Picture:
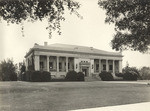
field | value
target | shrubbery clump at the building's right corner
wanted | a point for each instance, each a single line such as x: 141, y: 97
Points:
x: 131, y: 73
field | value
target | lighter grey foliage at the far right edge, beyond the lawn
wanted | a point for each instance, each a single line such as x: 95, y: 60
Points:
x: 145, y: 73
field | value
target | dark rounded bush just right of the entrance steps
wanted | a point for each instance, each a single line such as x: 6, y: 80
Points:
x: 106, y: 76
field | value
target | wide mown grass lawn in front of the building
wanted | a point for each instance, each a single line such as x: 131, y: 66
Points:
x: 62, y: 96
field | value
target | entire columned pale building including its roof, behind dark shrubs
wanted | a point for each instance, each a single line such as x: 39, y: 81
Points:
x: 61, y: 58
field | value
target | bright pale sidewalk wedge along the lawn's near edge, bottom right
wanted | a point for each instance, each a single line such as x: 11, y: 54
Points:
x: 128, y: 107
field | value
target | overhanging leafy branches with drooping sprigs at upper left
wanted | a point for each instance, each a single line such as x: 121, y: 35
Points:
x: 18, y: 11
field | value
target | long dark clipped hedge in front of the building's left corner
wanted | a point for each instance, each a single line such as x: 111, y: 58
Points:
x: 36, y: 76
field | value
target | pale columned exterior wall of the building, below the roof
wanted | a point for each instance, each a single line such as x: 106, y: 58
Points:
x: 60, y: 63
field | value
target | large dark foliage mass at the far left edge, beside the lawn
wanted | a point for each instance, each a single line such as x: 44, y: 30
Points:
x: 8, y: 71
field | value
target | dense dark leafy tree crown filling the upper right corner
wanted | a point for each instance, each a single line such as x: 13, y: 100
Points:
x: 132, y: 23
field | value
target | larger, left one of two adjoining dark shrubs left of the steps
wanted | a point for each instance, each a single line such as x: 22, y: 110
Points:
x: 71, y: 76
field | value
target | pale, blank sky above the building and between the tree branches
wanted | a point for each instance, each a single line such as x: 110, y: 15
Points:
x: 90, y: 31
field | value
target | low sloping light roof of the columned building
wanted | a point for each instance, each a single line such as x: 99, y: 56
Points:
x: 73, y: 48
